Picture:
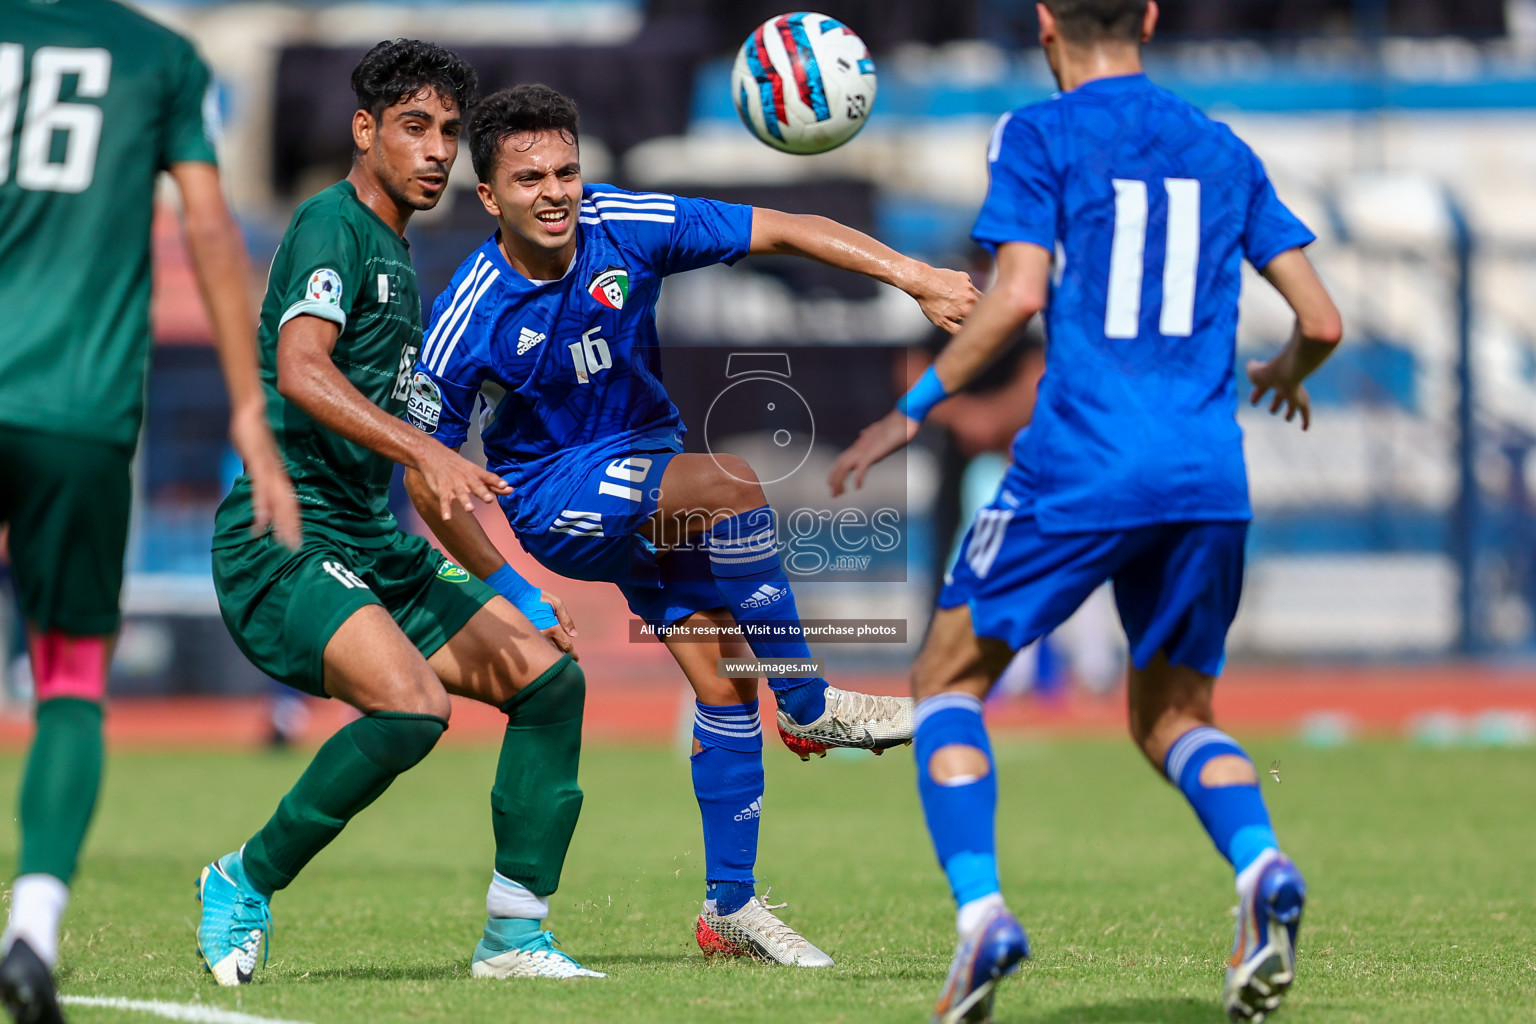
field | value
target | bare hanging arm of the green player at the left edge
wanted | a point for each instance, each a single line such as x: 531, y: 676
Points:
x: 223, y: 276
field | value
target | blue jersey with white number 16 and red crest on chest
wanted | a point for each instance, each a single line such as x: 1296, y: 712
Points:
x: 577, y: 358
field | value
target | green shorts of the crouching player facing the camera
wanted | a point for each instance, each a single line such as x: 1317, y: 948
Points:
x: 283, y: 607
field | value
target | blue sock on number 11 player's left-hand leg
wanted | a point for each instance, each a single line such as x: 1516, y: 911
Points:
x: 961, y: 818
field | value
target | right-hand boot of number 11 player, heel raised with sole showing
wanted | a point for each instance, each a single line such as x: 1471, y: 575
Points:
x: 1273, y: 896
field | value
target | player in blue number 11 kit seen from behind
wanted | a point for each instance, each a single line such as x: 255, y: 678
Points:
x: 1131, y: 472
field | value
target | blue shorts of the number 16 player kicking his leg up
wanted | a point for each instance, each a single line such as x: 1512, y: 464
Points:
x: 598, y: 538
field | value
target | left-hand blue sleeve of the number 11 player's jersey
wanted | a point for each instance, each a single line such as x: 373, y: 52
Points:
x: 1024, y: 200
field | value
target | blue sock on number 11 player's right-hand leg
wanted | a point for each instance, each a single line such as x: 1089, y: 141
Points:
x: 1234, y: 816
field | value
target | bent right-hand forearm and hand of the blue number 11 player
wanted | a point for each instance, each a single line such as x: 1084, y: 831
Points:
x: 1314, y: 340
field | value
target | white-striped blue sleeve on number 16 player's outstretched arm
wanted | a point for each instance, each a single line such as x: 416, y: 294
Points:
x: 681, y: 234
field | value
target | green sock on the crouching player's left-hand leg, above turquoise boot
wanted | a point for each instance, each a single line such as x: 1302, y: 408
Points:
x: 349, y: 773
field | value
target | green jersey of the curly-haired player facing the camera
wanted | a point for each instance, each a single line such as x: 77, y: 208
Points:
x: 339, y: 262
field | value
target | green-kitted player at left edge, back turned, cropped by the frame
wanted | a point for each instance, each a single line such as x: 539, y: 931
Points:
x: 96, y: 102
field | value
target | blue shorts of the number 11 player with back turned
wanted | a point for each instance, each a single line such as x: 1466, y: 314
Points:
x: 1177, y: 584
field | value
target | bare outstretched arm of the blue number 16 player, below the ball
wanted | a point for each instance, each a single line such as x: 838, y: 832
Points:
x: 945, y: 296
